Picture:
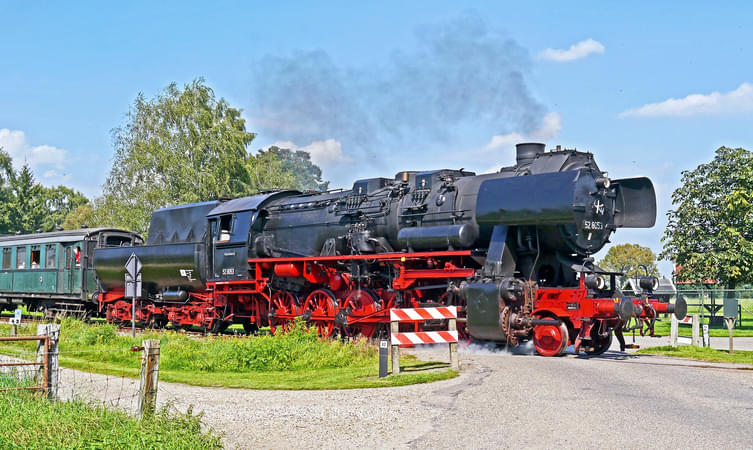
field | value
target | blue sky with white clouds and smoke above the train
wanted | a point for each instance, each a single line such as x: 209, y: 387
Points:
x: 385, y: 80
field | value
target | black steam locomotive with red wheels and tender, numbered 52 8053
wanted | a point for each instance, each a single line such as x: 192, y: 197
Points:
x: 511, y: 249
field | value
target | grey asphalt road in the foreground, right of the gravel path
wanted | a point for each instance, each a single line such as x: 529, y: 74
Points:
x: 612, y: 401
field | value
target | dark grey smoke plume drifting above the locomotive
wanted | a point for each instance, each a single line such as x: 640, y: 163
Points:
x: 459, y: 75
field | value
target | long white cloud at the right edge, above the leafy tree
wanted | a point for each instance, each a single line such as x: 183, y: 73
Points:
x: 733, y: 102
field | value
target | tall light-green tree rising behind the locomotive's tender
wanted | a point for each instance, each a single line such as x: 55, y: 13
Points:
x: 183, y: 146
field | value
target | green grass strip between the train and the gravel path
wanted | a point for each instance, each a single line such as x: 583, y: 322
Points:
x: 294, y: 360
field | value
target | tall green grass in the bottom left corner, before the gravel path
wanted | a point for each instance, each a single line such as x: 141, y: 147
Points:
x: 29, y: 420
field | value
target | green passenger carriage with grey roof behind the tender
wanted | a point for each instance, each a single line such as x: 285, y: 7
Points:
x: 54, y: 272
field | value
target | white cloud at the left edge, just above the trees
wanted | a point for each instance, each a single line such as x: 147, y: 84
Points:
x: 39, y: 157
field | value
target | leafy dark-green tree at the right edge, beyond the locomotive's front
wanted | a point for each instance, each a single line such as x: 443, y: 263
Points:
x: 710, y: 231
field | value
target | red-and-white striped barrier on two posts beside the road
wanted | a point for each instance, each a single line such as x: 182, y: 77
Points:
x: 398, y: 338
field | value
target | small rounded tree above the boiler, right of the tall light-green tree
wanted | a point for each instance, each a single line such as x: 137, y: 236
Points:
x: 282, y: 168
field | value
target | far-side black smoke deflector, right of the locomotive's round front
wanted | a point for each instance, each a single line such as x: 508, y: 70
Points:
x: 636, y: 203
